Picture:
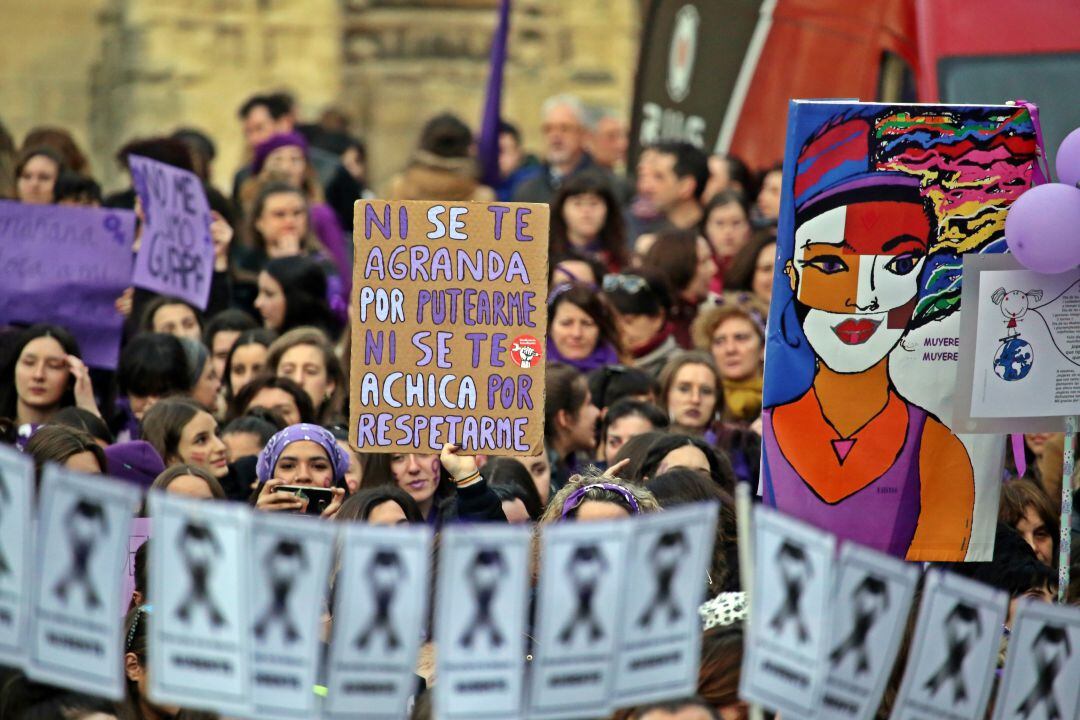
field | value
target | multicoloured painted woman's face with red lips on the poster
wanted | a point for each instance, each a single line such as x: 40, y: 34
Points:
x: 857, y: 271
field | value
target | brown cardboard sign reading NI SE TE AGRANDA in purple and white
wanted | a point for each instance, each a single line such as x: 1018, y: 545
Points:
x: 451, y: 318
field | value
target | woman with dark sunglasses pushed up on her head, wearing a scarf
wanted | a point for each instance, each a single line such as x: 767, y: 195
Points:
x: 643, y: 315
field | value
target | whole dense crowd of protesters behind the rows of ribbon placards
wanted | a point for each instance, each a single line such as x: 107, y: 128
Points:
x: 661, y: 277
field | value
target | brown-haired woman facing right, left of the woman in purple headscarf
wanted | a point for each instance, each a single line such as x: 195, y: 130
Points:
x: 182, y: 431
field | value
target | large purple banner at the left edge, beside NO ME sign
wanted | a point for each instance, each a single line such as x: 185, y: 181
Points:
x: 67, y: 266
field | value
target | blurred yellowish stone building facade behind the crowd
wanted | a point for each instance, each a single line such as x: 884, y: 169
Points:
x: 117, y: 70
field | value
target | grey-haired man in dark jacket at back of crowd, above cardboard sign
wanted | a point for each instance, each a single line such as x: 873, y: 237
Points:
x: 564, y: 134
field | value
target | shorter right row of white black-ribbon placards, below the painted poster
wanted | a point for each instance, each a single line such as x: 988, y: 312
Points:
x: 827, y: 628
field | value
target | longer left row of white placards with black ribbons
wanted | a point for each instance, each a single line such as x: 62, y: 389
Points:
x: 238, y: 599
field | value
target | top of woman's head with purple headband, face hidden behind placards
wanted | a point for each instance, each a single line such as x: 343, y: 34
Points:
x: 599, y: 498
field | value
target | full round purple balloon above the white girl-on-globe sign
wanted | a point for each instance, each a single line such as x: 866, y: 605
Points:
x: 1043, y: 228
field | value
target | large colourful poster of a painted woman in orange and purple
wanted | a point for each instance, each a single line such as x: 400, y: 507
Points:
x: 880, y: 206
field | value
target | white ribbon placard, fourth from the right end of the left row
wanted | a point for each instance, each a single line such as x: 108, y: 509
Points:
x: 381, y: 614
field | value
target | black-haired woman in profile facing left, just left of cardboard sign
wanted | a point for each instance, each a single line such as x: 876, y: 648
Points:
x: 292, y: 294
